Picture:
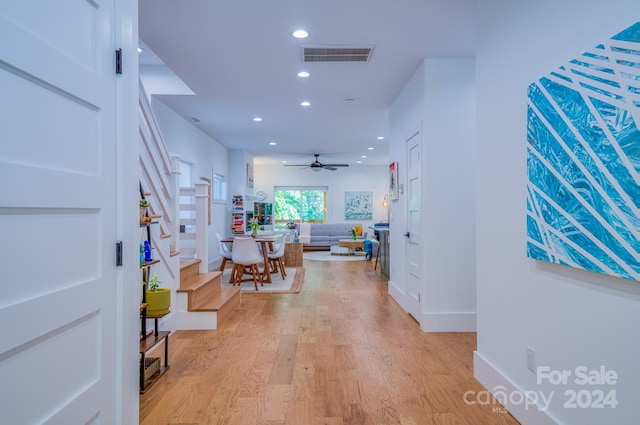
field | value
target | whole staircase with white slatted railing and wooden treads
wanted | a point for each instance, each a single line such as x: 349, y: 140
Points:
x: 199, y: 301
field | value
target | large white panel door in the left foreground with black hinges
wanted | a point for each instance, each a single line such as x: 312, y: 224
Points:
x: 57, y: 212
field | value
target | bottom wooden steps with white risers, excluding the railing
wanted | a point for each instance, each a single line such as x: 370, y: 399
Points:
x: 202, y: 300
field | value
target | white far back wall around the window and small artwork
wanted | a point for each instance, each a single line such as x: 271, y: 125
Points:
x: 352, y: 179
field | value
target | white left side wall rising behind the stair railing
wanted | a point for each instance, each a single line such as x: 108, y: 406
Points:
x: 208, y: 156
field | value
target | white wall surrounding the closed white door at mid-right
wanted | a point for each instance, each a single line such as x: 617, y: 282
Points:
x: 440, y: 99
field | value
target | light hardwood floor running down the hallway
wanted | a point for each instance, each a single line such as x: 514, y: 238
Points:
x: 339, y: 352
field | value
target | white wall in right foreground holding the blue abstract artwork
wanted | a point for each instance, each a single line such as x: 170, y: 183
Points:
x: 570, y: 317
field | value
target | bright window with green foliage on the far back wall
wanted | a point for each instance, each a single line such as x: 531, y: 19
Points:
x: 299, y: 203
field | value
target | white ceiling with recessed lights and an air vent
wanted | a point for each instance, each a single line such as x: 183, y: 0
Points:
x: 239, y: 59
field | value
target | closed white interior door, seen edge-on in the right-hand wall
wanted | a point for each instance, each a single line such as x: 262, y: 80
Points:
x: 413, y: 259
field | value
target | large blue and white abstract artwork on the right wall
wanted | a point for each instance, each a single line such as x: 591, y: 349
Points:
x: 583, y: 160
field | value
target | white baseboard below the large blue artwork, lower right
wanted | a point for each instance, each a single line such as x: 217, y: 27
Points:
x: 495, y: 381
